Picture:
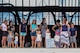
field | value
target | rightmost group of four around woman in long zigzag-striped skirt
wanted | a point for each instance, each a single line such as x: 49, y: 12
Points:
x: 65, y: 34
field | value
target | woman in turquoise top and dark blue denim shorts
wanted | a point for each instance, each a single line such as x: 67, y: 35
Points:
x: 33, y: 28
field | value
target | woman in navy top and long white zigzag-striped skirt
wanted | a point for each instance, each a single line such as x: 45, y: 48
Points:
x: 65, y: 33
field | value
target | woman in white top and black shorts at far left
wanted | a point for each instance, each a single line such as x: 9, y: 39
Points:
x: 4, y: 33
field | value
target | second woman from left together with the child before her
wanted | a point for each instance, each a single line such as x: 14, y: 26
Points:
x: 11, y: 30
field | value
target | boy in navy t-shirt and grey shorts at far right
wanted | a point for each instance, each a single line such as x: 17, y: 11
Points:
x: 73, y: 35
